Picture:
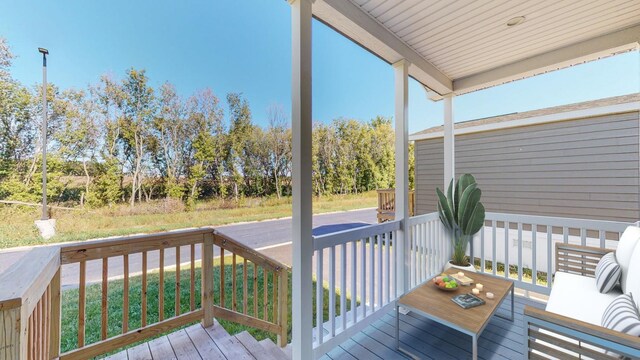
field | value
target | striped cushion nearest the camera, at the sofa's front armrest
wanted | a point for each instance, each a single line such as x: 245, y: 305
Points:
x: 622, y: 315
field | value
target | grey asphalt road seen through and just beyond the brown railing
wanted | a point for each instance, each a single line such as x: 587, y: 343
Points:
x: 257, y: 235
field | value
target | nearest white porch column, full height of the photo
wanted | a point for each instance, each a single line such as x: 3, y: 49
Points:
x: 302, y: 345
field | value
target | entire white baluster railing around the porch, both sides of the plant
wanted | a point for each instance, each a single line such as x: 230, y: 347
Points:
x: 366, y: 268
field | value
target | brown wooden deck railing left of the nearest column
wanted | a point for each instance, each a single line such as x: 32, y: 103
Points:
x: 131, y: 272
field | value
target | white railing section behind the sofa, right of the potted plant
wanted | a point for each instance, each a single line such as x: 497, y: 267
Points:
x: 525, y: 244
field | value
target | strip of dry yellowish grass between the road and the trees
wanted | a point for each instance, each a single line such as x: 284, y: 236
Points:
x: 17, y: 227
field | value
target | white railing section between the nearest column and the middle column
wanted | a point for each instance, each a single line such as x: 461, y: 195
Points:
x: 365, y: 271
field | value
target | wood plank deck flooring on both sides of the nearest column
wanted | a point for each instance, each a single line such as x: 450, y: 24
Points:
x: 502, y: 339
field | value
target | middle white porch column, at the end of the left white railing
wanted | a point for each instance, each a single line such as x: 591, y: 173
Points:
x: 401, y: 70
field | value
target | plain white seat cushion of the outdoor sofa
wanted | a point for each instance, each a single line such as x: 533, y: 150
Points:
x: 577, y: 297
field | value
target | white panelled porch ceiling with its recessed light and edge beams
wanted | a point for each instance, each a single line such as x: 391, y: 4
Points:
x: 464, y: 46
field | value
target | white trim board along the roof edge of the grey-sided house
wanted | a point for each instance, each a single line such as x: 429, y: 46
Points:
x: 535, y: 120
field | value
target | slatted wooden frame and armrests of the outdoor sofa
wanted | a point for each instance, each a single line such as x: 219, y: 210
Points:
x: 572, y: 334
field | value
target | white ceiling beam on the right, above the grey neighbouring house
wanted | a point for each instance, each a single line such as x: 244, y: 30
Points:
x: 588, y: 50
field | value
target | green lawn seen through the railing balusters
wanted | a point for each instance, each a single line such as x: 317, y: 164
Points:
x: 115, y: 296
